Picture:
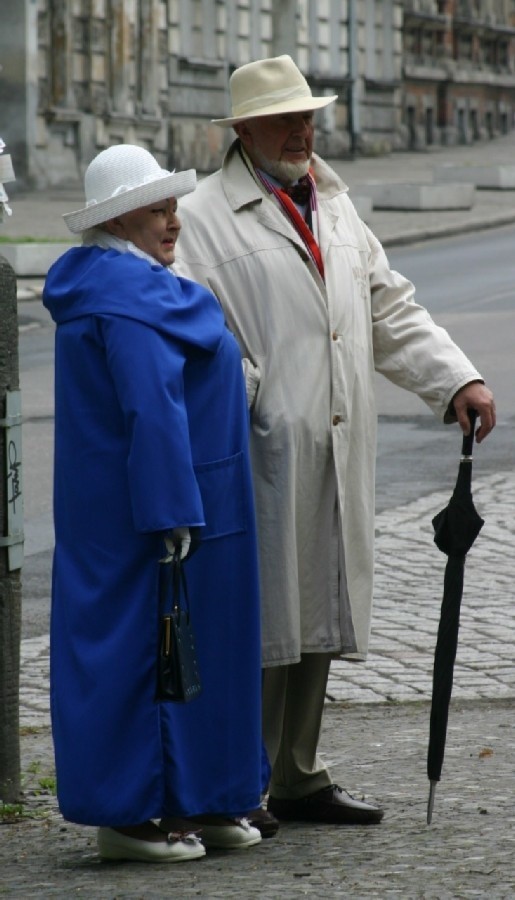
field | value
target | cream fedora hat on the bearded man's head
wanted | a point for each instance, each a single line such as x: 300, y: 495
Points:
x: 270, y: 87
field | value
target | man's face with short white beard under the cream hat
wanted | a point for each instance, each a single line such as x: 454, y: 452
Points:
x: 281, y: 145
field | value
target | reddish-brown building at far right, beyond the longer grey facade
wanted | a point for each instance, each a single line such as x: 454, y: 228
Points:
x: 458, y: 70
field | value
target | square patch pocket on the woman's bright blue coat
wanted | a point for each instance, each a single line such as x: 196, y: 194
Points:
x: 223, y: 490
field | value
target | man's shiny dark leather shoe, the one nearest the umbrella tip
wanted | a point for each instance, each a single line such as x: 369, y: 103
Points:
x: 331, y: 805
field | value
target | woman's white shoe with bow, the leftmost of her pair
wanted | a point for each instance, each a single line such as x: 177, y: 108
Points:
x: 113, y: 844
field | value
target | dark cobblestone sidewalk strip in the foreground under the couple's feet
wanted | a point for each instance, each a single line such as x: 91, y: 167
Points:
x: 468, y: 851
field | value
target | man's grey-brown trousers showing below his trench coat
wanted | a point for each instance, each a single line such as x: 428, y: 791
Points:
x: 293, y: 704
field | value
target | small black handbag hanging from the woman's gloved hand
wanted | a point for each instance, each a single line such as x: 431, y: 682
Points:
x: 178, y: 678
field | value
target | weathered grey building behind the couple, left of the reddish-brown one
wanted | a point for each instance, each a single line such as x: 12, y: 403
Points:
x: 79, y: 75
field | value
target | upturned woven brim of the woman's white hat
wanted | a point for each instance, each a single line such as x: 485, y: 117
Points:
x: 175, y: 184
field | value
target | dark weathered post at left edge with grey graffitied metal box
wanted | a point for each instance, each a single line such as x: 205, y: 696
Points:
x: 11, y: 538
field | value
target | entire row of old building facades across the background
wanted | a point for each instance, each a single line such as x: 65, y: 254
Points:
x: 79, y: 75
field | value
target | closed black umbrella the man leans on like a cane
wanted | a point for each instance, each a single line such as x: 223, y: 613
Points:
x: 456, y: 528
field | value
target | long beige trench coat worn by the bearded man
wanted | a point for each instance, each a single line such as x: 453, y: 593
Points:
x: 310, y: 351
